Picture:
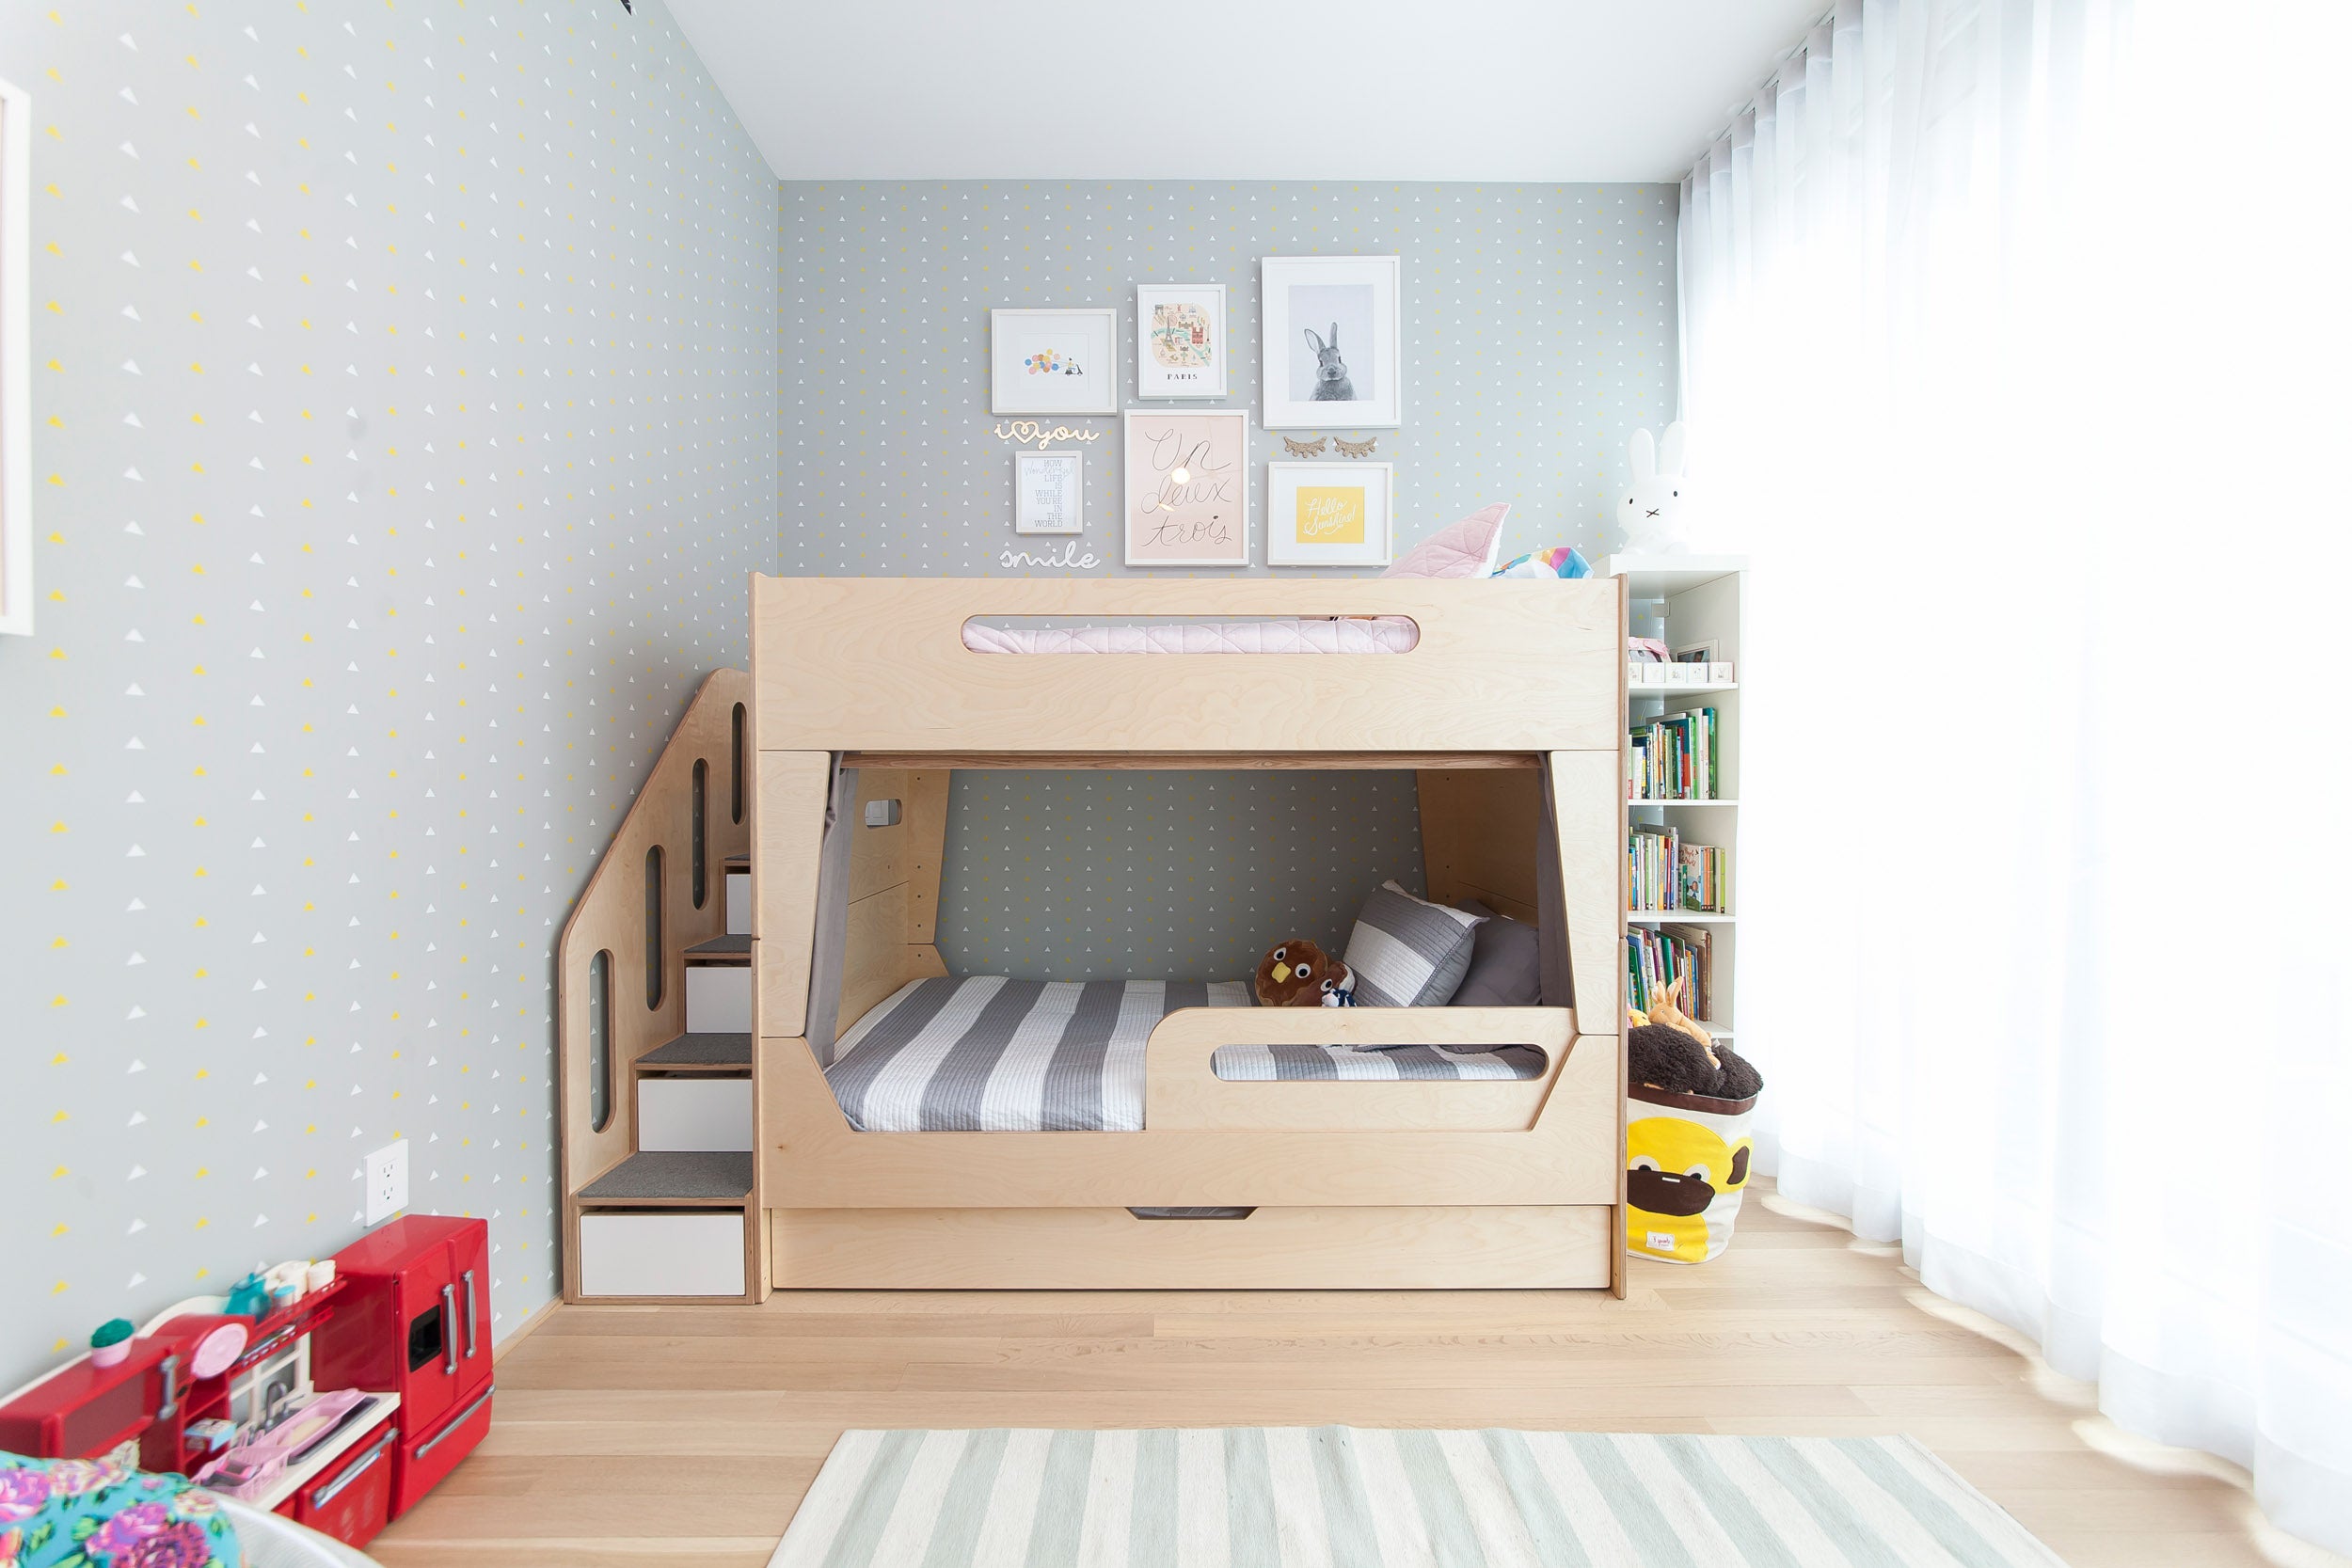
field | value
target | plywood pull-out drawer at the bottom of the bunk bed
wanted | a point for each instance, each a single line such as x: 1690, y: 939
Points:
x: 1509, y: 1247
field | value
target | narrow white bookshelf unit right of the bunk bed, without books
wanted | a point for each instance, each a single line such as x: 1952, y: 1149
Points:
x: 1685, y: 601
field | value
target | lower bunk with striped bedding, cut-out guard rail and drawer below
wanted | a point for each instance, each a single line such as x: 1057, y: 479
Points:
x: 1001, y: 1134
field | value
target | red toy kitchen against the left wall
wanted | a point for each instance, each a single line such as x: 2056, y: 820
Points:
x: 340, y: 1395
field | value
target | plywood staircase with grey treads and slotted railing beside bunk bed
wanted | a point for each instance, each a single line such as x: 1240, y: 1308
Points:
x: 655, y: 1047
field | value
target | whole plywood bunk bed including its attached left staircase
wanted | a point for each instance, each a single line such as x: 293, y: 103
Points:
x: 780, y: 871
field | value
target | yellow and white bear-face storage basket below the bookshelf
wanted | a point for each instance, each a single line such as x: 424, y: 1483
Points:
x: 1685, y: 1172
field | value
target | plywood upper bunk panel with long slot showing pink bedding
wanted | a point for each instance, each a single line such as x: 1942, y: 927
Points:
x: 1499, y: 674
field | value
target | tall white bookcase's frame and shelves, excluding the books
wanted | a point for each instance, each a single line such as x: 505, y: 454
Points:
x: 1692, y: 605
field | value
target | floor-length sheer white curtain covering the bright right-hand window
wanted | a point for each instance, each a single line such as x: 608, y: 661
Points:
x: 2014, y: 351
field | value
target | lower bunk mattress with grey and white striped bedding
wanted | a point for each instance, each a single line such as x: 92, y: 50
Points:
x: 984, y: 1054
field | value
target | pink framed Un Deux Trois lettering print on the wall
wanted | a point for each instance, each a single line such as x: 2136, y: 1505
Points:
x: 1187, y: 488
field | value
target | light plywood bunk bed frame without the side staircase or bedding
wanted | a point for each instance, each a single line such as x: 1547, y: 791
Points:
x: 1509, y: 711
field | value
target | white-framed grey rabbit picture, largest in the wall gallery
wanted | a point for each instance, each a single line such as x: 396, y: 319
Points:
x: 1358, y: 302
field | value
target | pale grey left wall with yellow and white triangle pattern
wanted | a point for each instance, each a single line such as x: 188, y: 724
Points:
x: 406, y: 427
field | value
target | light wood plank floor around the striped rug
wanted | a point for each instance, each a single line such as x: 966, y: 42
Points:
x: 688, y: 1435
